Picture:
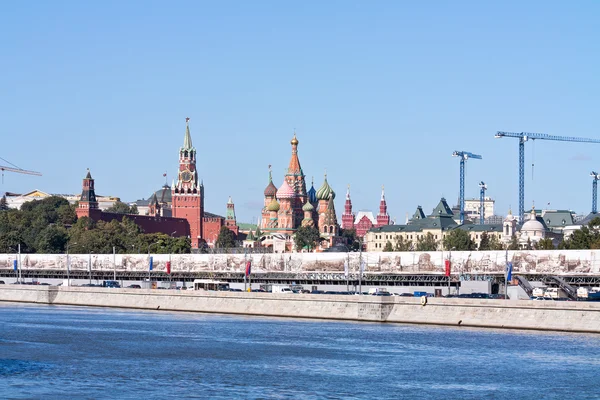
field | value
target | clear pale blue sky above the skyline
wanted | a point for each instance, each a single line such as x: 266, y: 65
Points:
x: 378, y: 92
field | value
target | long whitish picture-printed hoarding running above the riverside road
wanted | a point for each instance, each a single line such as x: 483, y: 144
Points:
x: 557, y: 262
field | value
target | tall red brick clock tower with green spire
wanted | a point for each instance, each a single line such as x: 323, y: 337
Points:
x: 187, y: 192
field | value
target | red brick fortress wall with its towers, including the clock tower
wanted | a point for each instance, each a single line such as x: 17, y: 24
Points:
x: 187, y: 204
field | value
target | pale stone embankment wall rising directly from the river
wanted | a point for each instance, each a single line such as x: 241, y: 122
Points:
x: 526, y: 314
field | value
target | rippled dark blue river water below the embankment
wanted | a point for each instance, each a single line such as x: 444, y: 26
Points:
x: 56, y: 352
